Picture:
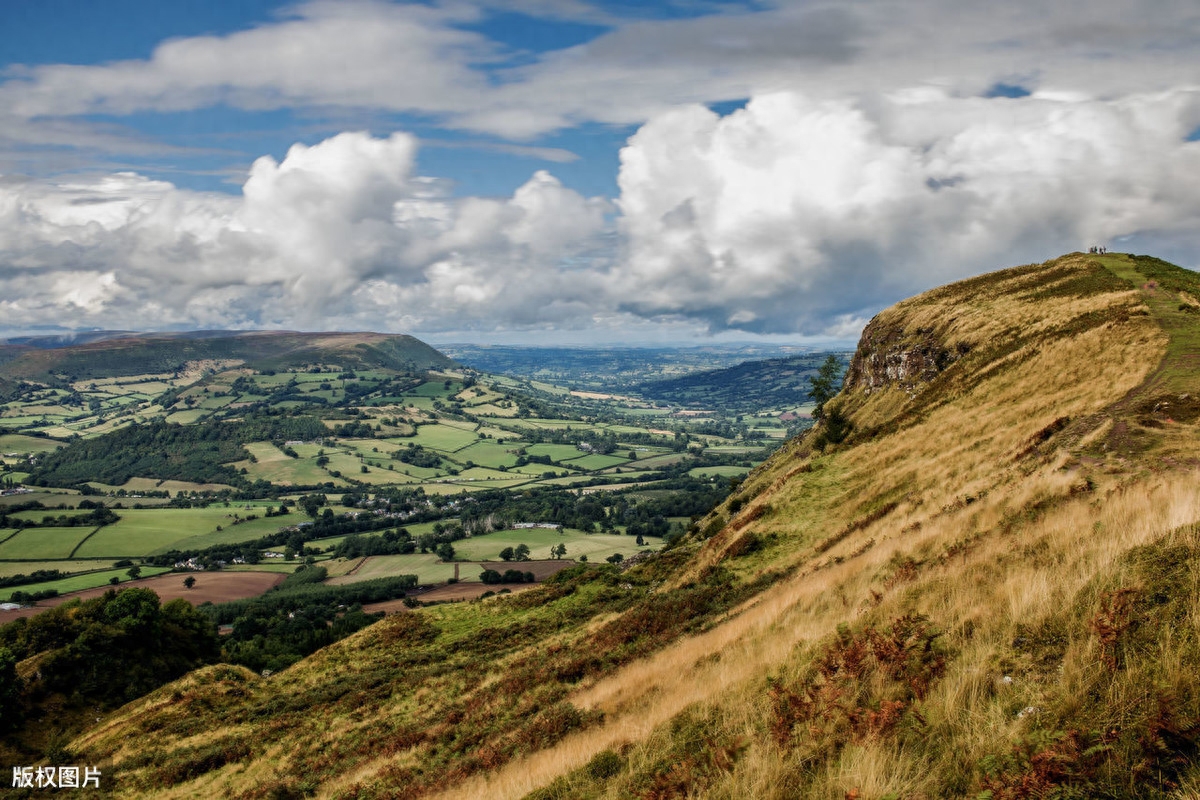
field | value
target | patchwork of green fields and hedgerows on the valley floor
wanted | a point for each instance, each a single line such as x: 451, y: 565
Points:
x: 190, y: 460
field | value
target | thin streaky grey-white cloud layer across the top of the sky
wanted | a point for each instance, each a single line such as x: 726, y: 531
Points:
x: 437, y: 62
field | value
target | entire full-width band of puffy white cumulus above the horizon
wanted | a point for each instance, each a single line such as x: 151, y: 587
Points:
x: 794, y: 215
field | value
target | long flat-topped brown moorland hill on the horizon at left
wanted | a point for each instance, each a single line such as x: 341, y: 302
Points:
x: 41, y: 359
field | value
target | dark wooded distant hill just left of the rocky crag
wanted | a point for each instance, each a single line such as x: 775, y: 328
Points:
x: 775, y: 383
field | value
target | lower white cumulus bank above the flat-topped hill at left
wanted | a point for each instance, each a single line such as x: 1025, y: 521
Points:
x: 340, y: 234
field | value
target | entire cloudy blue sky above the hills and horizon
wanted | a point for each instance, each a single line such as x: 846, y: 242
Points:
x: 563, y: 172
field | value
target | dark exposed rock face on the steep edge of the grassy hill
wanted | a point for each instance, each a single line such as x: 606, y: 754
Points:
x: 889, y: 356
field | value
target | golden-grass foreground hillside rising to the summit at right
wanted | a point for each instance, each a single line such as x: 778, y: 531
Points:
x: 986, y: 579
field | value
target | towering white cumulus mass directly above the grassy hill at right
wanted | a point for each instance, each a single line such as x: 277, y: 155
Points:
x: 802, y: 215
